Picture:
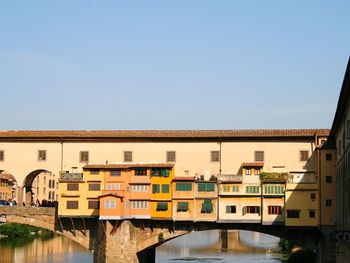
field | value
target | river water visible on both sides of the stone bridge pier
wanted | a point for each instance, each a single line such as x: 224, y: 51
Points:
x: 206, y: 246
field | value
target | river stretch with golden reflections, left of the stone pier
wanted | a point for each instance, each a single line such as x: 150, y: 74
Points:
x: 54, y: 250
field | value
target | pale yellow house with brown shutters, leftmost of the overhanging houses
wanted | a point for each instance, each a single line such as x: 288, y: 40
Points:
x: 78, y: 193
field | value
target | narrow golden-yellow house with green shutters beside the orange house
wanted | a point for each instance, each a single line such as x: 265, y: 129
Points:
x: 161, y: 198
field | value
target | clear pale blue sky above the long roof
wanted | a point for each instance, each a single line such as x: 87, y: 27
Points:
x: 171, y: 64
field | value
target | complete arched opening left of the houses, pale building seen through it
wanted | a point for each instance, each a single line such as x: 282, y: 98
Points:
x: 38, y: 186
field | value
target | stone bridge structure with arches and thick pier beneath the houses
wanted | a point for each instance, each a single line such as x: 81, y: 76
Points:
x: 135, y: 240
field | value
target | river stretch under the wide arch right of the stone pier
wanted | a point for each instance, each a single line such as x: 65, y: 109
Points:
x: 207, y: 246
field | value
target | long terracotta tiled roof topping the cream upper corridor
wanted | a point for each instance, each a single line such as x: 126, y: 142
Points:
x: 133, y: 134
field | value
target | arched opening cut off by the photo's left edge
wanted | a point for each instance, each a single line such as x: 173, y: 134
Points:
x: 8, y: 186
